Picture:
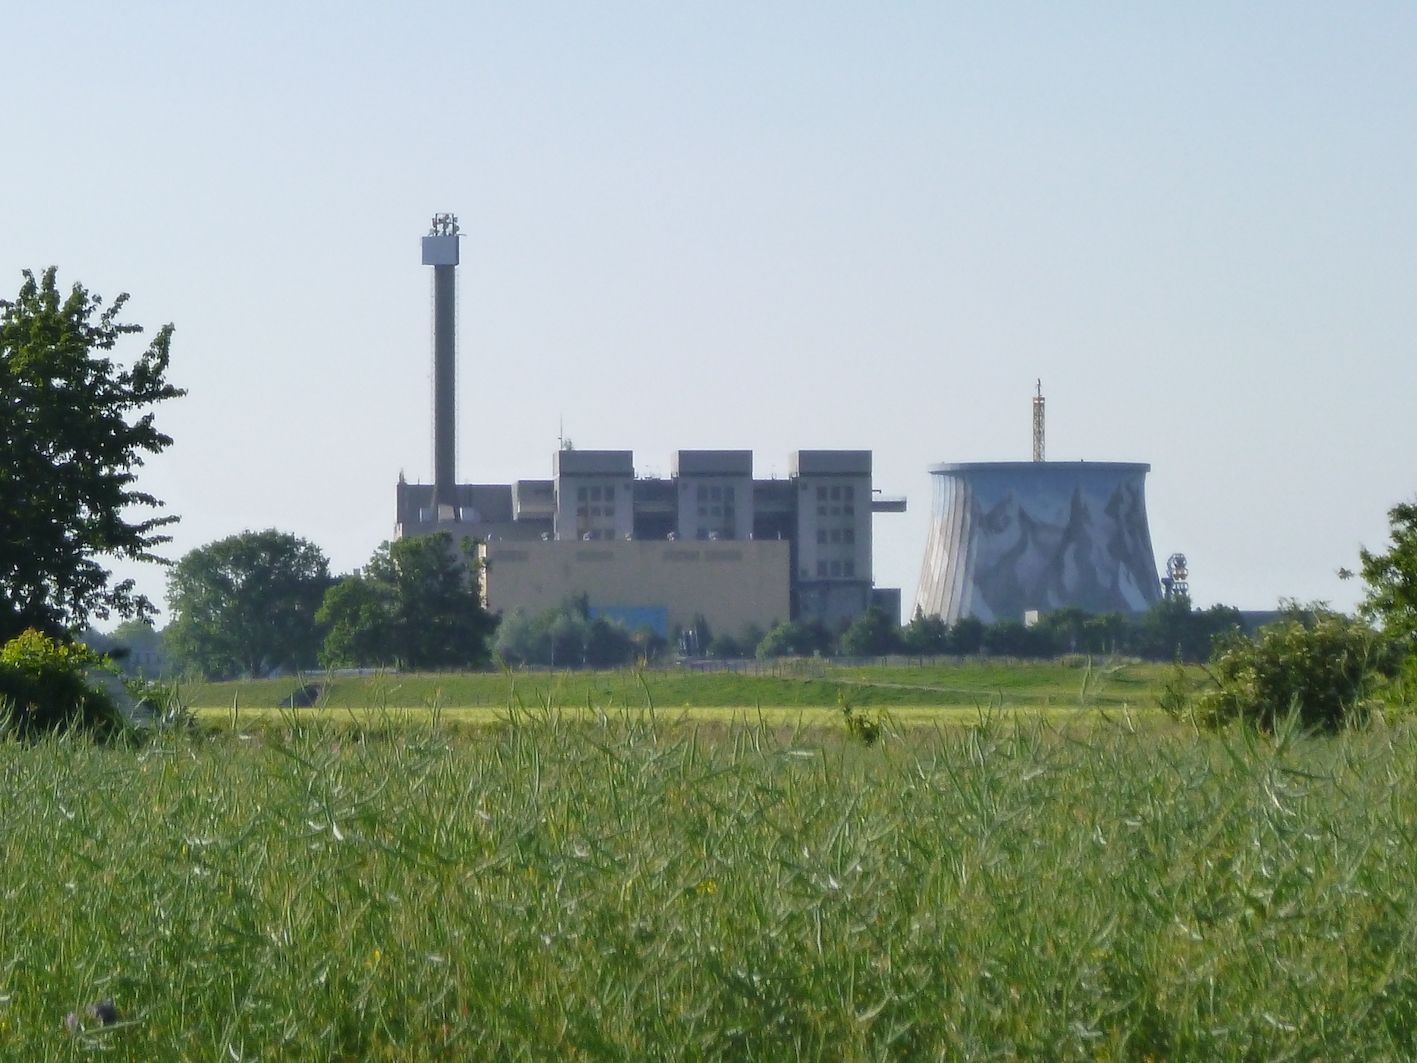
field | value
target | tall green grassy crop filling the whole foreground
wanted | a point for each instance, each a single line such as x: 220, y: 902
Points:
x: 633, y: 888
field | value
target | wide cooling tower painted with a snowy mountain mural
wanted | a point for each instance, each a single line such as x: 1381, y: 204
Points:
x: 1007, y: 538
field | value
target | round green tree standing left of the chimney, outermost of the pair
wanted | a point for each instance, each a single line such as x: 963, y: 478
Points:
x: 247, y: 604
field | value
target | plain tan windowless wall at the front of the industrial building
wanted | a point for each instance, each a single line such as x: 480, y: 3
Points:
x: 730, y: 583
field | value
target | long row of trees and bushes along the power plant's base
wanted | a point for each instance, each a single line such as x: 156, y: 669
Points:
x: 260, y: 603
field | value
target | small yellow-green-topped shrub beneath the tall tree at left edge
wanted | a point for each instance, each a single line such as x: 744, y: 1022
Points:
x: 43, y: 690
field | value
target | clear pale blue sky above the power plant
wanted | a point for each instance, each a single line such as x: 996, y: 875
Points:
x: 772, y: 227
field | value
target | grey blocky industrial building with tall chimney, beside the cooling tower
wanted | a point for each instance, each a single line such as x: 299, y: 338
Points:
x: 708, y: 541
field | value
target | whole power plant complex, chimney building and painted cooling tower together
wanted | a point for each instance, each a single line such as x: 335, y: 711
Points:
x: 1007, y: 539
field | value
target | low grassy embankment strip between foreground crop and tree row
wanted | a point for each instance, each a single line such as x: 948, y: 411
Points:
x: 798, y: 690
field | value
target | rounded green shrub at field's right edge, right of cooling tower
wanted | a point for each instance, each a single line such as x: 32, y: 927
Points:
x: 1327, y: 668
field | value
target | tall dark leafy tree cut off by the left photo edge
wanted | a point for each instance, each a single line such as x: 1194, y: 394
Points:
x: 76, y: 429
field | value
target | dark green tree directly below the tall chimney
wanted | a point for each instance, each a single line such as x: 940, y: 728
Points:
x: 416, y: 604
